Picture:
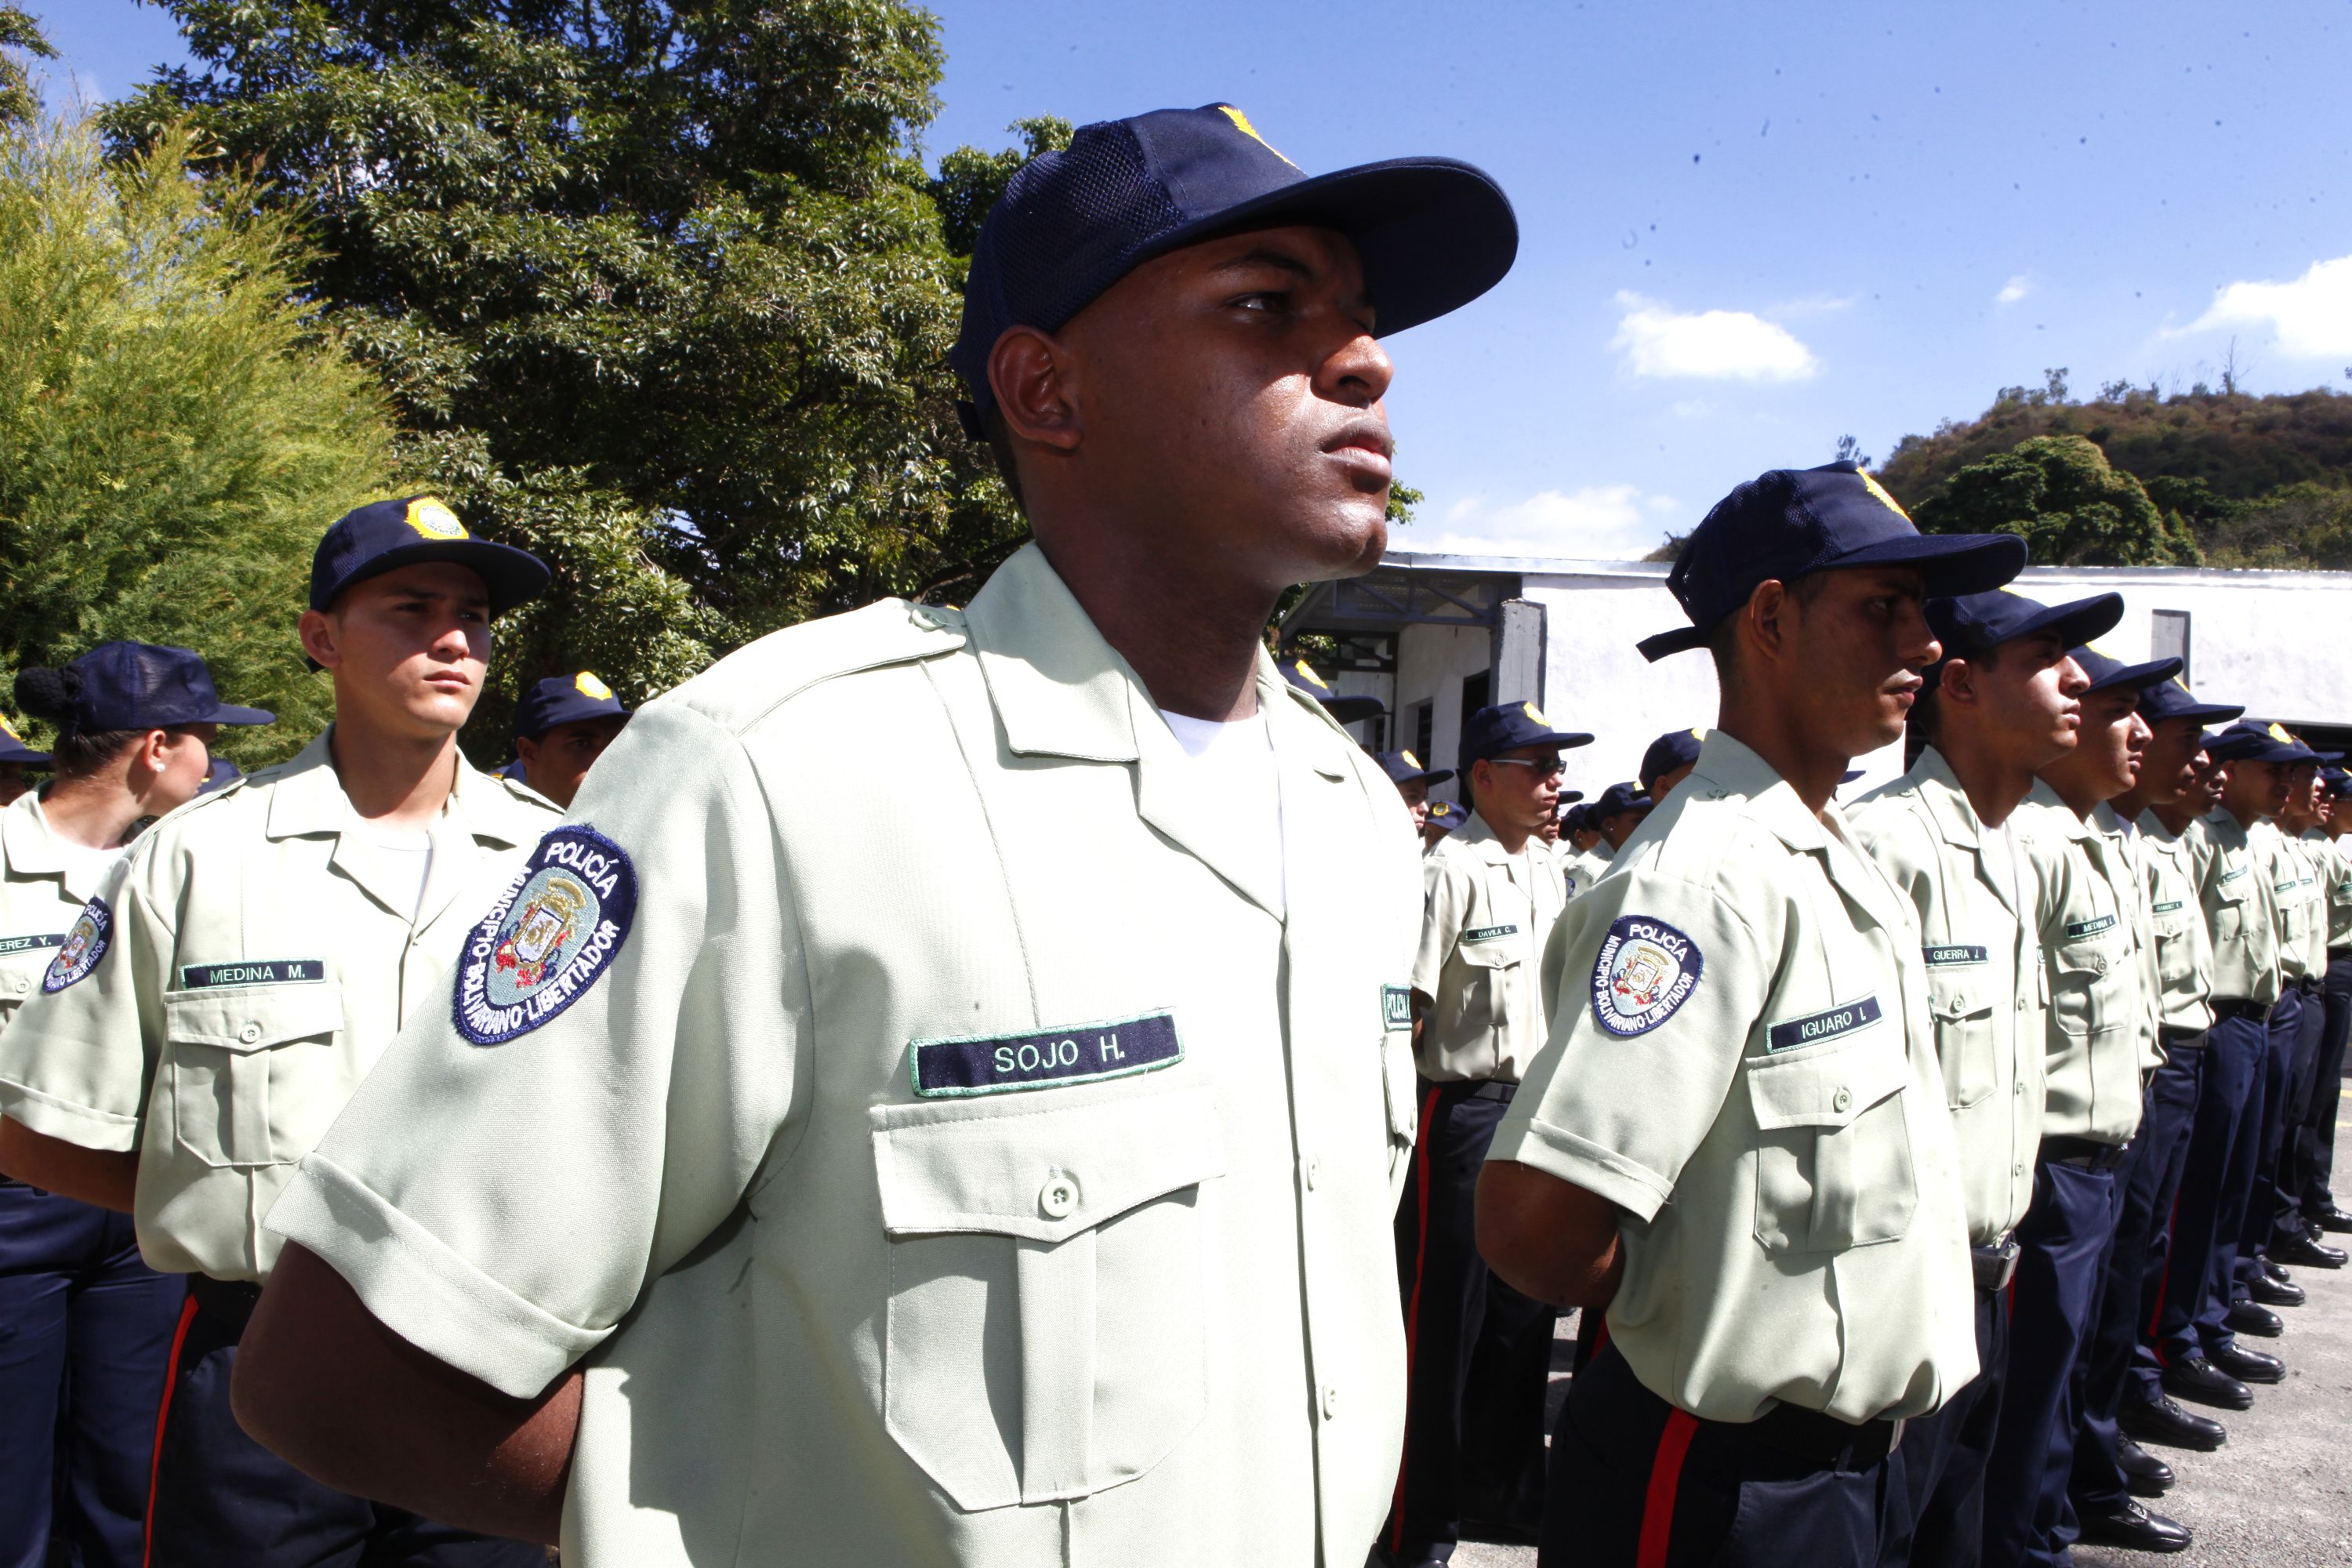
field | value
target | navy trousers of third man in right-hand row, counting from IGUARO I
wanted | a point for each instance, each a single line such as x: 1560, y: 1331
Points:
x: 2062, y: 1261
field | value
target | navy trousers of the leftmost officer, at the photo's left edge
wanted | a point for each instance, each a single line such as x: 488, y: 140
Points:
x: 86, y: 1341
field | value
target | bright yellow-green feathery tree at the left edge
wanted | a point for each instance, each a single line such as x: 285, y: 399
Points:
x: 175, y: 422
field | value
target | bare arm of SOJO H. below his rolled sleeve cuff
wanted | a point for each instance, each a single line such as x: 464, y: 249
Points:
x: 335, y: 1393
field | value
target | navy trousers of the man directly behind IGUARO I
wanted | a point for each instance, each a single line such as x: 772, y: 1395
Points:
x: 1937, y: 1506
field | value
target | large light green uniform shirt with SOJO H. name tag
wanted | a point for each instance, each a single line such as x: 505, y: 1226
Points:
x: 1125, y: 1296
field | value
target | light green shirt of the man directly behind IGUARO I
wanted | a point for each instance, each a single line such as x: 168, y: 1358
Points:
x: 1979, y: 937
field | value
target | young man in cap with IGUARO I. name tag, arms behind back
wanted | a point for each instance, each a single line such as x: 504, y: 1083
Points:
x: 1737, y: 1137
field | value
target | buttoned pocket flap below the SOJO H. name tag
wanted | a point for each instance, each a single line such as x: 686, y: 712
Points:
x: 1041, y: 1172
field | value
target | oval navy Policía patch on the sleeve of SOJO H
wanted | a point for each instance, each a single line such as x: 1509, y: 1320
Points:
x: 549, y: 937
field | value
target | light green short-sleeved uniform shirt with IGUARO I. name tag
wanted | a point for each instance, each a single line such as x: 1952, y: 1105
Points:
x: 1742, y: 1061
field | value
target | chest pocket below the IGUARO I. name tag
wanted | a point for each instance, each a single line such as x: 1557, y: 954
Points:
x: 1833, y: 1146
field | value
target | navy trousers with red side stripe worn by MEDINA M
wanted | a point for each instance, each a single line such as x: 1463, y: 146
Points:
x: 225, y: 1499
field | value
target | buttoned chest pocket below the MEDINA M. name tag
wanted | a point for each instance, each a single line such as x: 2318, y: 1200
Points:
x: 253, y: 1073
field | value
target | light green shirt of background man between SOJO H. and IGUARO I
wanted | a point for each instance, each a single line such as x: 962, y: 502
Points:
x: 1485, y: 918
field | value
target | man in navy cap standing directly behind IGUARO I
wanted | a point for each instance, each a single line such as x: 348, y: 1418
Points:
x: 2003, y: 704
